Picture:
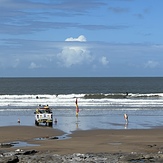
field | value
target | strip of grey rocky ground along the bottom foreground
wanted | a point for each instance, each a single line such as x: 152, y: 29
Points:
x: 33, y: 156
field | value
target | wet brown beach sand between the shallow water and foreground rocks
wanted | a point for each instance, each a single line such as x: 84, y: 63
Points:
x: 91, y: 141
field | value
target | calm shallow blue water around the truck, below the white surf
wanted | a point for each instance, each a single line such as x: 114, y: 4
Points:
x: 89, y: 119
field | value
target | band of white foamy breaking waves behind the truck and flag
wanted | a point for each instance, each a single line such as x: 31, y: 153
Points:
x: 86, y: 101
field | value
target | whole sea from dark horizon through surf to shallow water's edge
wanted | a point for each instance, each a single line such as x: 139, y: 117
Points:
x: 102, y: 102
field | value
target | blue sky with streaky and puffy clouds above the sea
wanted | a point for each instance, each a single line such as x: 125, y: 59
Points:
x: 81, y: 38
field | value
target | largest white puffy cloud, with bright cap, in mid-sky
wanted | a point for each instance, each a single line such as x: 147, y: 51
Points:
x: 74, y: 54
